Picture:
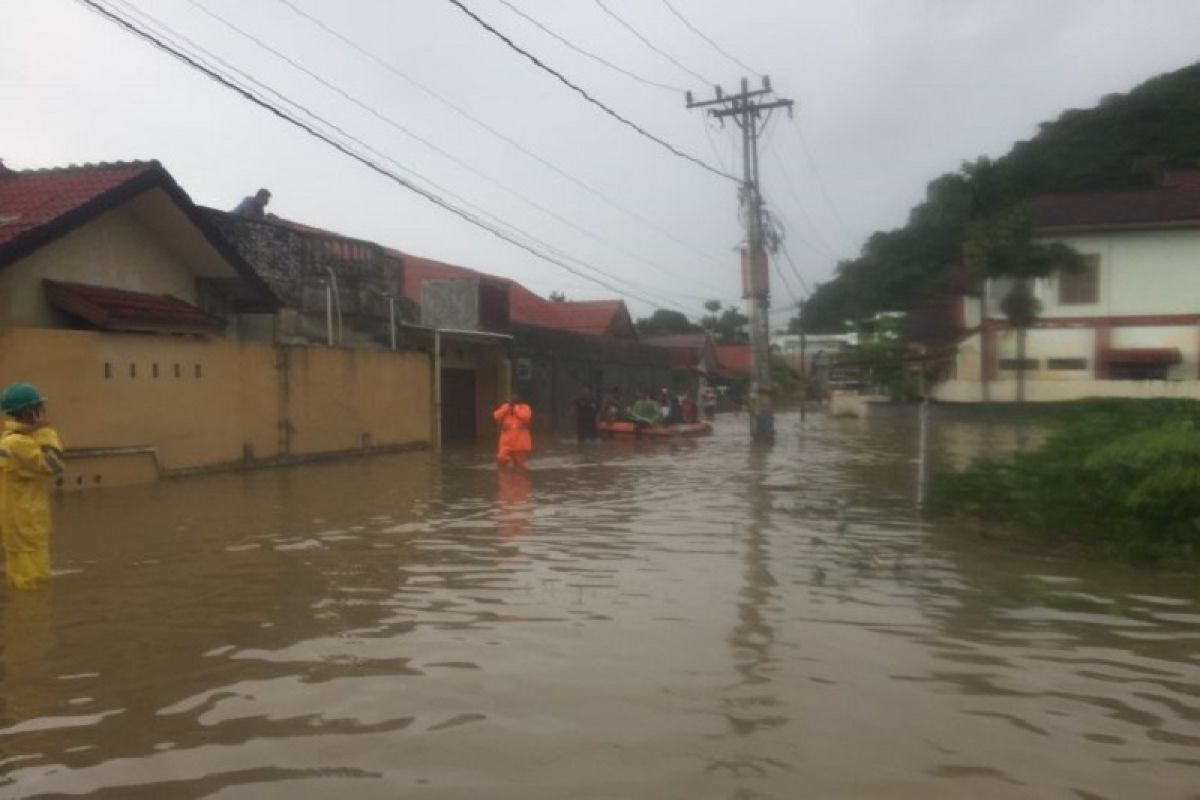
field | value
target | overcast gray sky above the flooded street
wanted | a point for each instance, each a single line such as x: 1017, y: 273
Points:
x: 890, y: 94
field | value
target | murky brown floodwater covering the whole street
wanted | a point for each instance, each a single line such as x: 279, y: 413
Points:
x: 704, y: 619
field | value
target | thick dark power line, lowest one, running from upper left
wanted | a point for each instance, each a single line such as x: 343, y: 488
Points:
x: 346, y: 151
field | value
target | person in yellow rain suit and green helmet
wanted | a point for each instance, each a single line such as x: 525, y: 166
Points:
x: 31, y: 454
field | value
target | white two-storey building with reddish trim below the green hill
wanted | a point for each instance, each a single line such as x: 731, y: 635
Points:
x: 1129, y: 326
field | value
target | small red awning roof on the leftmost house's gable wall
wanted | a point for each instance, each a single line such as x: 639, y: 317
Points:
x: 117, y: 310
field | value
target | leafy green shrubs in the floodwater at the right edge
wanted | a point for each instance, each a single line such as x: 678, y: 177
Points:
x: 1124, y: 476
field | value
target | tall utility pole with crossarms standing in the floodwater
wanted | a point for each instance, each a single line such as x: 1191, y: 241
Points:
x: 751, y: 111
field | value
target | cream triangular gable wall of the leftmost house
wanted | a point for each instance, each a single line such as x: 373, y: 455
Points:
x: 116, y: 250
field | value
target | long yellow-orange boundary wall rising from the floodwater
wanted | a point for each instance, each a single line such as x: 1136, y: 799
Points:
x: 194, y: 404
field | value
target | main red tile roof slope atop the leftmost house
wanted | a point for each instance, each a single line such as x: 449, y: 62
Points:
x: 31, y: 200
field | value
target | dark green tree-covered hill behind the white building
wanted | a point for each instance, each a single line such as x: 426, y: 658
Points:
x: 1124, y: 143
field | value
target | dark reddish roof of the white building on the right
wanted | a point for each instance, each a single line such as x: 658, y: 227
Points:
x: 1175, y: 203
